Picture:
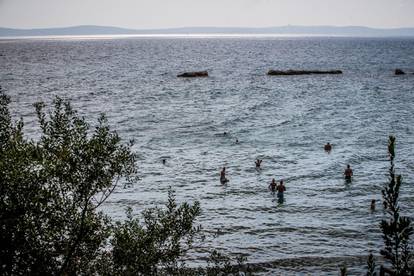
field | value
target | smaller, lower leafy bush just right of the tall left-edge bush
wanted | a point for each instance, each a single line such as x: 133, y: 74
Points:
x: 158, y: 242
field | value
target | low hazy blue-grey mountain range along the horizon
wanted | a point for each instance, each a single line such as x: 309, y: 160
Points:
x: 283, y: 30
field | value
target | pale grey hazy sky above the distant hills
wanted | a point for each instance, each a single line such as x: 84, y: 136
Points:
x: 140, y: 14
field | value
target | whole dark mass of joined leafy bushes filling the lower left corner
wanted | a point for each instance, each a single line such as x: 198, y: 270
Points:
x: 50, y: 191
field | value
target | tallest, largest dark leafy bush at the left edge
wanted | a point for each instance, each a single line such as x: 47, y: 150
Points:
x: 50, y: 189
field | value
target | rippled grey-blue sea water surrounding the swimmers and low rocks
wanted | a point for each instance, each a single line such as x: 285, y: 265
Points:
x: 283, y: 120
